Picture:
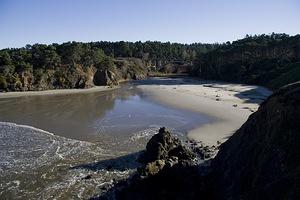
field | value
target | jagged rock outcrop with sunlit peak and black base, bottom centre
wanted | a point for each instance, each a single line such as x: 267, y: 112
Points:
x: 168, y: 172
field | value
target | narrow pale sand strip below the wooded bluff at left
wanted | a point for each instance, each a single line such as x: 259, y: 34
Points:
x: 56, y: 92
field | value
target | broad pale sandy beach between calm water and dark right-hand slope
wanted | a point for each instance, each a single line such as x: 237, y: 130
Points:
x: 228, y: 105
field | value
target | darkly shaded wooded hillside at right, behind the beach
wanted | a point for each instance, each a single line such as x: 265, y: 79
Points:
x: 270, y: 60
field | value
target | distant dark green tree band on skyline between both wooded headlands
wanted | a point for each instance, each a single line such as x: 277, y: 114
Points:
x: 152, y: 51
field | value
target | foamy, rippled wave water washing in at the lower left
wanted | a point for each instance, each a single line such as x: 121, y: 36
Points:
x: 30, y: 155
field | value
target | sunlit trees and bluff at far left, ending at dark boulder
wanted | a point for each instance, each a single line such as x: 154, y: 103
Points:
x: 40, y: 67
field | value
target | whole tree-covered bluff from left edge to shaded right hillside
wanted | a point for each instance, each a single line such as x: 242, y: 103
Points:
x: 73, y: 64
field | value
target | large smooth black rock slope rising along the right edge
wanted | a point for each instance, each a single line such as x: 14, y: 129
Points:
x: 262, y: 159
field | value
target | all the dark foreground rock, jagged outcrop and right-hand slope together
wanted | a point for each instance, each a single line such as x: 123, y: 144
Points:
x: 260, y: 161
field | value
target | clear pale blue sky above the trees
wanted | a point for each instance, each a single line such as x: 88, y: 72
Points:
x: 186, y: 21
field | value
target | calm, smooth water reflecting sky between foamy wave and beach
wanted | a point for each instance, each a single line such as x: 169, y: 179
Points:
x: 113, y: 115
